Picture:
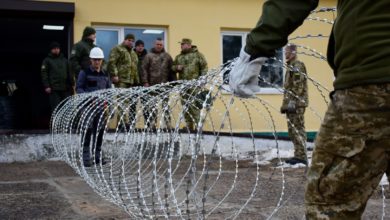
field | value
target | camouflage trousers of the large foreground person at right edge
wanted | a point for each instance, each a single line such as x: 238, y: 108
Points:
x: 351, y: 154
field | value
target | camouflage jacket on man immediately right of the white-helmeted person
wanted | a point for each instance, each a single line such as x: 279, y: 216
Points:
x: 123, y: 63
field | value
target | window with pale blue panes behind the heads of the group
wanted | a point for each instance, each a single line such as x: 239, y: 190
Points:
x: 109, y: 37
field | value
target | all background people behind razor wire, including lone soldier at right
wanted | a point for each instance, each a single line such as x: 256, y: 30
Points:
x: 131, y: 65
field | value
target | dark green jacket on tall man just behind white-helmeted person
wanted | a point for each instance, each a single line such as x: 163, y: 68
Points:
x: 79, y: 56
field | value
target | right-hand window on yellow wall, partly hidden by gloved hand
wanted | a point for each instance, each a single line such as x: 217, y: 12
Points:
x: 271, y: 74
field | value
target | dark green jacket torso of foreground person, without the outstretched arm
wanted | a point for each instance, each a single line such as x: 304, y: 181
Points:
x: 361, y: 46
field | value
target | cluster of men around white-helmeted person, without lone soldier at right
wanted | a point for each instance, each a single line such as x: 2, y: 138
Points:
x: 127, y: 67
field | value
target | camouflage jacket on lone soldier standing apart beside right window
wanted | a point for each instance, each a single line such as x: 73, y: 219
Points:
x: 295, y: 84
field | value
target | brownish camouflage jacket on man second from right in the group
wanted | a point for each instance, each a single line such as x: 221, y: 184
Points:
x: 157, y: 68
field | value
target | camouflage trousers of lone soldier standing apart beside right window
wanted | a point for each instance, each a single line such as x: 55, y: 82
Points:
x: 297, y: 133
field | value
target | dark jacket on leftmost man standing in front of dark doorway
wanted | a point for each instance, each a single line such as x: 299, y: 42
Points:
x: 55, y: 73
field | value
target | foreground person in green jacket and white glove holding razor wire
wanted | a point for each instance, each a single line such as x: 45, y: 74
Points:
x: 352, y: 148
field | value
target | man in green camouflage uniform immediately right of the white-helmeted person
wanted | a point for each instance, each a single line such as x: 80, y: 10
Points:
x: 122, y: 67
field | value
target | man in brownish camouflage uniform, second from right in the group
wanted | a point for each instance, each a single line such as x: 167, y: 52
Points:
x: 157, y: 68
